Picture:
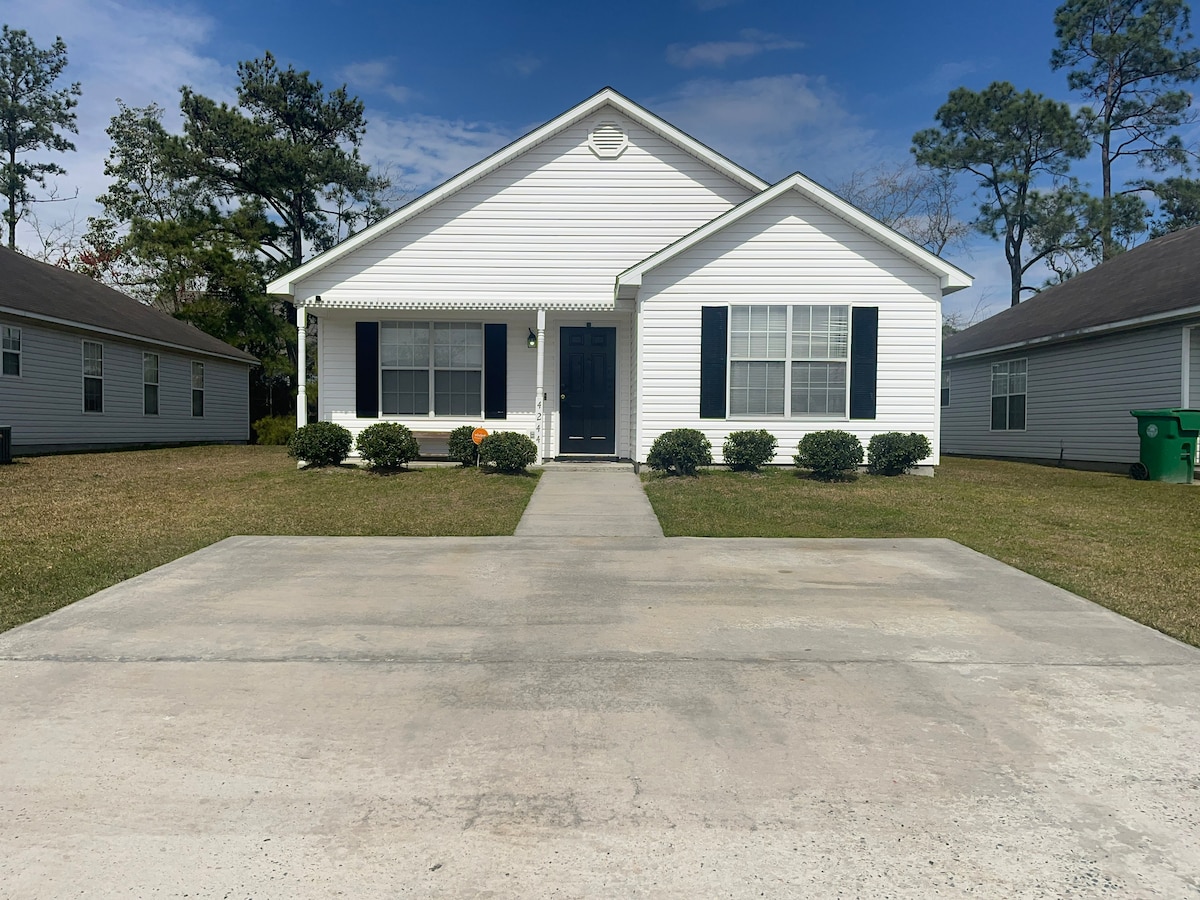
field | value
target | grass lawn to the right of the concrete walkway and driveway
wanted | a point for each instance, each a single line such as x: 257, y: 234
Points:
x: 1133, y: 547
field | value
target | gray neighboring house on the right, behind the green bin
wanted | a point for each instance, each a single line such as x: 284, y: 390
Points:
x: 1055, y: 377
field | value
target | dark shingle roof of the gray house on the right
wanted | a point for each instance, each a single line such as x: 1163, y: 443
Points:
x: 1156, y: 281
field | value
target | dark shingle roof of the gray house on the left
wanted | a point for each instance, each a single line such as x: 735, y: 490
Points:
x: 45, y: 292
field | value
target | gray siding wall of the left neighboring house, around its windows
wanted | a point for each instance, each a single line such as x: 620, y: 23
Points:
x: 45, y: 405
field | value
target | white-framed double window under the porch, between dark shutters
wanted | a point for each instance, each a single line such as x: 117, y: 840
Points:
x: 431, y: 365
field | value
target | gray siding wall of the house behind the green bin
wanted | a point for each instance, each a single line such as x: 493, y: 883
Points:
x: 1078, y: 400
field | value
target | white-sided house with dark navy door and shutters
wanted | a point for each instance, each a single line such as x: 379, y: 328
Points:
x: 607, y: 279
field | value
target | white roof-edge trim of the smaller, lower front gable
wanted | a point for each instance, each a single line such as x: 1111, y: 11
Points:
x: 951, y: 277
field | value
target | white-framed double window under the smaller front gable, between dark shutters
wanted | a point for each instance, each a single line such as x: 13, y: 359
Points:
x: 789, y: 361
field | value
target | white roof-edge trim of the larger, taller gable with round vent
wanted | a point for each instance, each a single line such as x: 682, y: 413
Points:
x: 605, y: 98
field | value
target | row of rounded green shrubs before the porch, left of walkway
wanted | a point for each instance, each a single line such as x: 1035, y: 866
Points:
x: 387, y: 447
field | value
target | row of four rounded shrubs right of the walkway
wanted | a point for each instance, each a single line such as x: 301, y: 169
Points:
x: 829, y: 454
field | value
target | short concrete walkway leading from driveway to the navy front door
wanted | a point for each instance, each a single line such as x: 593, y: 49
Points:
x: 592, y: 501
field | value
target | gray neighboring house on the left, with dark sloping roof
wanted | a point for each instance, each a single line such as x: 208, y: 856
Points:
x: 83, y: 367
